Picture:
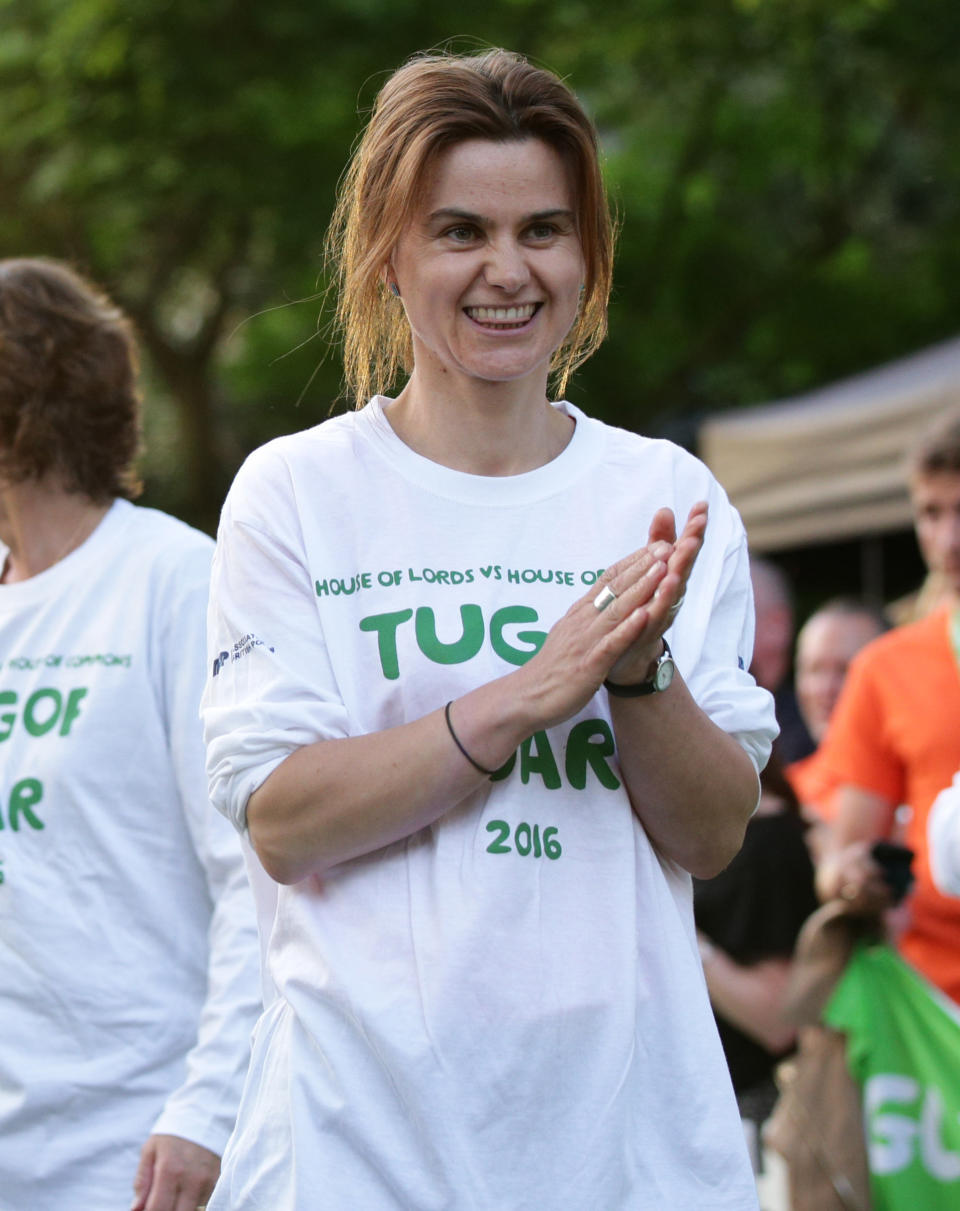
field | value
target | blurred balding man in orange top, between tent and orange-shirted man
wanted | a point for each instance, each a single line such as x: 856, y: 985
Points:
x: 826, y: 645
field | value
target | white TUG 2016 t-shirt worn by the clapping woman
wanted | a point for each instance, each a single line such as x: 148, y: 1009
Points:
x: 505, y: 1011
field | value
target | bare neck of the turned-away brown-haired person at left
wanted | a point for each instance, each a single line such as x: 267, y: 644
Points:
x: 42, y: 524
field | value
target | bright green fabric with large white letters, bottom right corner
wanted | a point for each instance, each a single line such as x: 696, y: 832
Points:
x: 904, y: 1048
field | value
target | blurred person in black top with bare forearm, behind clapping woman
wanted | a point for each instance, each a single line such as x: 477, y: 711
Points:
x: 749, y: 919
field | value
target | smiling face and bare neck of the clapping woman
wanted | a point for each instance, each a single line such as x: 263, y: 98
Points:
x: 490, y: 271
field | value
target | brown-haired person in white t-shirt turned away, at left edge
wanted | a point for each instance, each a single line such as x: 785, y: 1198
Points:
x: 128, y: 934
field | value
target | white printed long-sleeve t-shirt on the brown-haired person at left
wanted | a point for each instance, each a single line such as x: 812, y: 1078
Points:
x: 129, y: 955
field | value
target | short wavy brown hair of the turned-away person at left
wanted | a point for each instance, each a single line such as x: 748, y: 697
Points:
x: 70, y: 401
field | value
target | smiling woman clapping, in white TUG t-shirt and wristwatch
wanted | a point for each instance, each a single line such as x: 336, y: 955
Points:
x: 462, y: 748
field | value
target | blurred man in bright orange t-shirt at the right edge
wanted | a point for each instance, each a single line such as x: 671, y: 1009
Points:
x: 895, y: 736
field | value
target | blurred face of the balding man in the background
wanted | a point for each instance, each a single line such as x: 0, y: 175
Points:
x: 825, y: 647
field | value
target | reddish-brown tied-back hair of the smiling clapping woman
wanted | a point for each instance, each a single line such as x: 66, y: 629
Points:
x: 429, y: 105
